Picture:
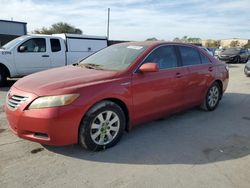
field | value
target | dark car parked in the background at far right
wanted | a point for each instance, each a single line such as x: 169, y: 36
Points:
x: 234, y: 55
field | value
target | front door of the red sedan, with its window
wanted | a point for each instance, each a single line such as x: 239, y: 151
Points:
x: 158, y: 93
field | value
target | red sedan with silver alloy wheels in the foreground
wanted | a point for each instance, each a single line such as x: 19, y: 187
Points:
x: 94, y: 101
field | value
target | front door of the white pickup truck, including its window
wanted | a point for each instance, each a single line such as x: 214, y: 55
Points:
x: 34, y: 58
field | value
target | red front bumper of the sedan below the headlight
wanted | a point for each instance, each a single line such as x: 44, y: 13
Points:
x: 52, y: 126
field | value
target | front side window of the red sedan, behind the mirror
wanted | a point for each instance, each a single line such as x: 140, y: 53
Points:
x: 164, y: 56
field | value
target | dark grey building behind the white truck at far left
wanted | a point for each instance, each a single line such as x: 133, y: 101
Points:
x: 10, y: 30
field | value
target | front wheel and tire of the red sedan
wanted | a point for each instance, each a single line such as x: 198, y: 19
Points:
x: 102, y: 127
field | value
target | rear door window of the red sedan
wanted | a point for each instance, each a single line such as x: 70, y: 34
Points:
x: 189, y: 56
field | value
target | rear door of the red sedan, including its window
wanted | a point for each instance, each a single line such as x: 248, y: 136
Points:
x: 200, y: 74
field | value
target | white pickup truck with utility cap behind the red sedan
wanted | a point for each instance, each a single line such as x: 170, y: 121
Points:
x: 32, y: 53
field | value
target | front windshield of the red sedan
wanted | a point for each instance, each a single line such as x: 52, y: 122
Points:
x: 115, y: 58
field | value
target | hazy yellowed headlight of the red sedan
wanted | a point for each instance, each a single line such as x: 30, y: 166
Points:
x: 53, y: 101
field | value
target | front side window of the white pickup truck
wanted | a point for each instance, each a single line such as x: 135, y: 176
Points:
x: 33, y: 45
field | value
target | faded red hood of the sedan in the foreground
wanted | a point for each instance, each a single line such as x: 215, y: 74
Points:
x: 62, y: 80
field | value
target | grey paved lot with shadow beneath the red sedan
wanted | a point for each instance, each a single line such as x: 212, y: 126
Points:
x: 191, y: 149
